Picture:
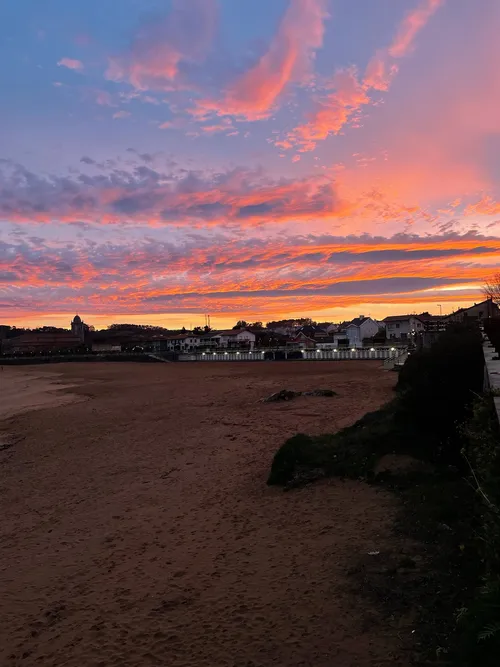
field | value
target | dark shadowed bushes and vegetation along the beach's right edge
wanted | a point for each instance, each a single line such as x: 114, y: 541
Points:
x: 450, y: 502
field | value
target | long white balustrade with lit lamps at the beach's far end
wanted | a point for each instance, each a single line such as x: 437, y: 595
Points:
x: 367, y: 353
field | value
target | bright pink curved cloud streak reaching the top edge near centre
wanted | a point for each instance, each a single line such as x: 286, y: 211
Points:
x: 254, y: 95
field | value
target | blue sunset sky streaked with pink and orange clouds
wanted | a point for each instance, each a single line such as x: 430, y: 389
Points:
x: 255, y: 159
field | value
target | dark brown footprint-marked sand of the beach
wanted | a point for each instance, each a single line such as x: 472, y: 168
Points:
x: 137, y: 528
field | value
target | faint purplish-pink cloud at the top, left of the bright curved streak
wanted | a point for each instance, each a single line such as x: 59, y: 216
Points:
x: 161, y: 46
